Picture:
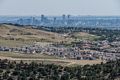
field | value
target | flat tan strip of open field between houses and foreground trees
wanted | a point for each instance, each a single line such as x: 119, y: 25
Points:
x: 46, y: 59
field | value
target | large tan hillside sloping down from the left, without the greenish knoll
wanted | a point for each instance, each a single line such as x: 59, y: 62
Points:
x: 14, y: 36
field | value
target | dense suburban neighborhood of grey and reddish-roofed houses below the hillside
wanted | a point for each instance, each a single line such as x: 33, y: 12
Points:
x: 84, y: 50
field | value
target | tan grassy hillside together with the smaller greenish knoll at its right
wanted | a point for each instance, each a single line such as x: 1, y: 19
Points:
x: 13, y: 36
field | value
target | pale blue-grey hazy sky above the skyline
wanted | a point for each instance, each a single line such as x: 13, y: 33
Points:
x: 59, y: 7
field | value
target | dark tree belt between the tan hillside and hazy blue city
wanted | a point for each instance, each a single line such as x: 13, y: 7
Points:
x: 106, y: 34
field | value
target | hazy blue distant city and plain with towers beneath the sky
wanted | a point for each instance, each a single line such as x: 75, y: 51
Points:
x: 64, y: 21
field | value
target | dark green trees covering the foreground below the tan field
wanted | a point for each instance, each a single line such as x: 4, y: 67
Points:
x: 39, y: 71
